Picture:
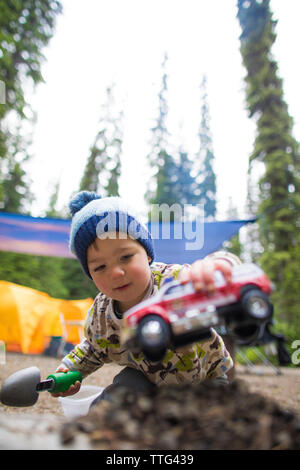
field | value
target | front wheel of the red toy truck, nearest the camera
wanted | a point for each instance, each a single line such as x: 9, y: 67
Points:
x: 153, y: 336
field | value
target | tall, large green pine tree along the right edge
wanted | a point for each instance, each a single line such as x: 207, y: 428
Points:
x: 278, y: 151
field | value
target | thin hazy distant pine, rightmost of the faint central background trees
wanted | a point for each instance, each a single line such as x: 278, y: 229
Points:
x: 205, y: 159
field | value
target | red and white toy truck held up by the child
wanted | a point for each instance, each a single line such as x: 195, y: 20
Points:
x: 178, y: 315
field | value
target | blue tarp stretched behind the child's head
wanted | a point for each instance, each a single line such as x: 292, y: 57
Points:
x: 174, y: 243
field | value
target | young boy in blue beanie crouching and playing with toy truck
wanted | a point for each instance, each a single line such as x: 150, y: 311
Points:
x: 115, y: 250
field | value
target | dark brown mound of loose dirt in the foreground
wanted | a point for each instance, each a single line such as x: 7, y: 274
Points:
x: 206, y: 416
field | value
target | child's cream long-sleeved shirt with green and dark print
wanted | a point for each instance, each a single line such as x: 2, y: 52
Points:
x: 208, y: 359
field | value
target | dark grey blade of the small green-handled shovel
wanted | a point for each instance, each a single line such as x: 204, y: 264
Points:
x: 19, y: 389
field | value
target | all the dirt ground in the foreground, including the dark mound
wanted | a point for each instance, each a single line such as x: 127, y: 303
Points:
x: 258, y: 410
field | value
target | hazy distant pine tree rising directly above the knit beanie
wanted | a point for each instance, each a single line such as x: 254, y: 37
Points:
x: 103, y: 167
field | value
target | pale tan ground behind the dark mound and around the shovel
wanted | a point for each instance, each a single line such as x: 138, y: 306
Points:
x: 283, y: 388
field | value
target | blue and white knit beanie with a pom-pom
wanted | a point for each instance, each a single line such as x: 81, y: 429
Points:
x: 92, y: 216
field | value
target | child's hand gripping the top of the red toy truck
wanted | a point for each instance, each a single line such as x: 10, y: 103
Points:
x: 201, y: 273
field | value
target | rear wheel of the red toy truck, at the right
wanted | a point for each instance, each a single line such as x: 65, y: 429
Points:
x: 256, y: 304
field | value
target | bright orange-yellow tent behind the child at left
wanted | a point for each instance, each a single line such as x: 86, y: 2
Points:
x: 28, y: 318
